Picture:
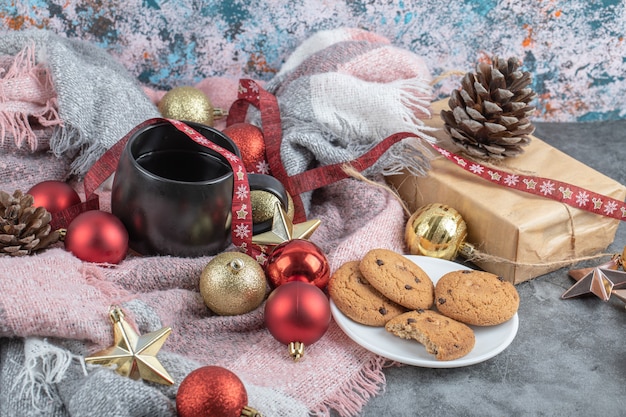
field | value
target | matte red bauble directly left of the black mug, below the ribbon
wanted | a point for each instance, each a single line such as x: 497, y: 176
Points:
x: 97, y: 236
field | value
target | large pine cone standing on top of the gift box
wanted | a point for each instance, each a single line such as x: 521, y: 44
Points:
x: 489, y: 114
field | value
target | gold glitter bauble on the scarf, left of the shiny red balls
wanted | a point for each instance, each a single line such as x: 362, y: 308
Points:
x: 233, y: 283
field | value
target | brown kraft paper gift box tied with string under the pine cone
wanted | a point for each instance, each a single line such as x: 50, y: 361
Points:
x: 523, y: 236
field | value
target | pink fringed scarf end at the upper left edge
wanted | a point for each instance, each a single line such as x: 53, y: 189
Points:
x: 27, y: 98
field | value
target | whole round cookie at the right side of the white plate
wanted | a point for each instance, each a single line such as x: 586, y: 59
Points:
x: 476, y: 297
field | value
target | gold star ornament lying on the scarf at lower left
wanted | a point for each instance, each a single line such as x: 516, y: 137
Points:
x: 133, y: 354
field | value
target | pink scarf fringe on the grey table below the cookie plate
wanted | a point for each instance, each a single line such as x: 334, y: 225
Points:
x: 350, y: 399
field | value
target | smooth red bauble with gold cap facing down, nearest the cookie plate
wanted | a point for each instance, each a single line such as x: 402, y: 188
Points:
x: 297, y: 312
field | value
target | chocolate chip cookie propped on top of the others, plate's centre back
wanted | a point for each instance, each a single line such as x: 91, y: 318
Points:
x: 398, y: 279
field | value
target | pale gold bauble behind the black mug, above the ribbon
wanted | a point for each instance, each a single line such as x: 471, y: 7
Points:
x: 188, y: 104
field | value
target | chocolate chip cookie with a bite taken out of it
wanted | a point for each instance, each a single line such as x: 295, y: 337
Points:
x: 442, y: 336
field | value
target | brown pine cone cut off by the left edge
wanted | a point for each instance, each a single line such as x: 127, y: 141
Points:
x: 24, y: 229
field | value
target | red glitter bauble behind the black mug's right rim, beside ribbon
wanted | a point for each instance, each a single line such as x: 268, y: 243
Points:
x: 251, y: 142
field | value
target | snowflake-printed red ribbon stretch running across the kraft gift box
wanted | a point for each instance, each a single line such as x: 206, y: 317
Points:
x: 563, y: 192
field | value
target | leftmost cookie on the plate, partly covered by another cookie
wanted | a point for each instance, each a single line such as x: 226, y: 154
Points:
x: 357, y: 299
